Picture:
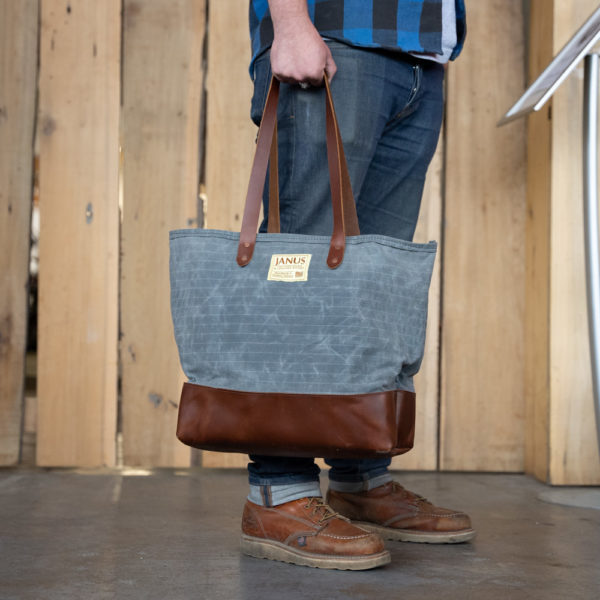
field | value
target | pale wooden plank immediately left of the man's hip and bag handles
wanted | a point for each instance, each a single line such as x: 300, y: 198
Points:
x: 230, y: 136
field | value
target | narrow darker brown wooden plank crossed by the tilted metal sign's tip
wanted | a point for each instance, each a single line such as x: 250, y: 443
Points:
x: 537, y: 258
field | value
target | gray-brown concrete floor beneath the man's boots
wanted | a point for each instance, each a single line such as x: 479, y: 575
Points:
x: 174, y: 535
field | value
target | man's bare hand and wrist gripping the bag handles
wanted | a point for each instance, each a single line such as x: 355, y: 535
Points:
x: 298, y: 54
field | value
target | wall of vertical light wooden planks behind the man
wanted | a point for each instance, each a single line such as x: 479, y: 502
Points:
x: 508, y: 291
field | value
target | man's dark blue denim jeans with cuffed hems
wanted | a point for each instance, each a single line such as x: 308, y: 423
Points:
x: 389, y: 107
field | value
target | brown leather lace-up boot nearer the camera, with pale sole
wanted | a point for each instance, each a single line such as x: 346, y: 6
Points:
x: 307, y: 532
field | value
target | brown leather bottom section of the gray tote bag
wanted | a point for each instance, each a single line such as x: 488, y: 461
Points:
x: 356, y: 426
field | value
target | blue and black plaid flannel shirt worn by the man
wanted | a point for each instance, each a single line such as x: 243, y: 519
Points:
x: 407, y: 25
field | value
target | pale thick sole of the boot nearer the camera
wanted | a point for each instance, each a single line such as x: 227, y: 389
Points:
x: 272, y: 550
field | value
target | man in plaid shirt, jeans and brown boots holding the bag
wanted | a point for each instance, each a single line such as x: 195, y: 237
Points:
x: 385, y: 60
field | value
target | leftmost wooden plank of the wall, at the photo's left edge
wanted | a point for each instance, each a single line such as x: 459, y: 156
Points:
x: 18, y: 72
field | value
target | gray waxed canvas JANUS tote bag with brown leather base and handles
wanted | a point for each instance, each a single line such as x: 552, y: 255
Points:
x: 298, y: 345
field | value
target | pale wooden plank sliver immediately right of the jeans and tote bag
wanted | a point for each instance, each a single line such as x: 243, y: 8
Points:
x: 424, y: 455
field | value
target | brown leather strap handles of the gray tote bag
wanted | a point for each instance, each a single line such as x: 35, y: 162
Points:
x: 345, y: 221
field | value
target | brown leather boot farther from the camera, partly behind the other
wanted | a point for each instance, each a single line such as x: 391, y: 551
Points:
x: 398, y: 514
